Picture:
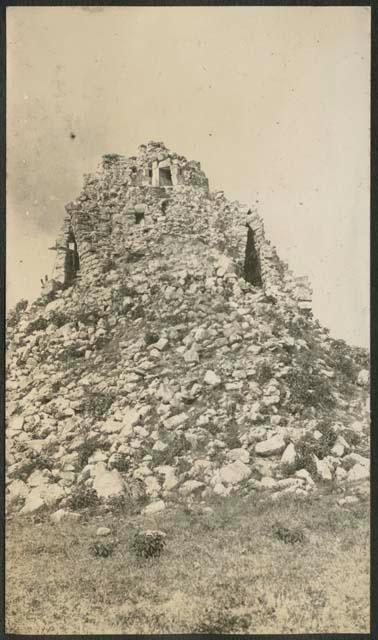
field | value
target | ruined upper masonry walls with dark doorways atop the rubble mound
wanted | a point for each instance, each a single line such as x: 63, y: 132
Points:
x: 157, y: 206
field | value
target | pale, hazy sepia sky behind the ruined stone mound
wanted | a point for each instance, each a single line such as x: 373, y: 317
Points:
x: 273, y: 101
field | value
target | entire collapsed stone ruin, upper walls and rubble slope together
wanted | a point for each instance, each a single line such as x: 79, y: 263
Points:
x: 172, y: 353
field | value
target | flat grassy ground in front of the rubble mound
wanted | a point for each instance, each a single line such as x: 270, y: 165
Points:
x: 224, y: 571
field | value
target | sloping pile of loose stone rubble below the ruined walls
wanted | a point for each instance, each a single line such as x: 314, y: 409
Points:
x: 171, y: 377
